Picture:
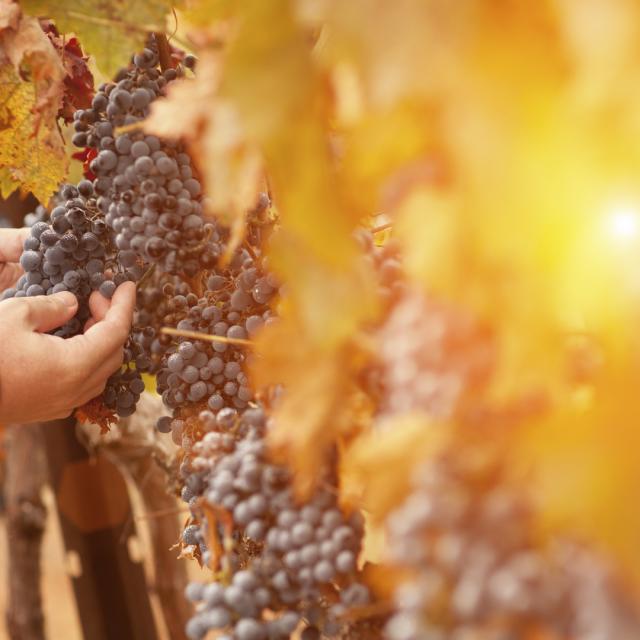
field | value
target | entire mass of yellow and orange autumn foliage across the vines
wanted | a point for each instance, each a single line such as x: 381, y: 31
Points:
x: 455, y: 186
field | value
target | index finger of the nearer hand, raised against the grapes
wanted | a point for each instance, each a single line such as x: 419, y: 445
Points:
x: 104, y: 337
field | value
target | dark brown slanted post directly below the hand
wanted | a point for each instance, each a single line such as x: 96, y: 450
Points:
x: 94, y: 508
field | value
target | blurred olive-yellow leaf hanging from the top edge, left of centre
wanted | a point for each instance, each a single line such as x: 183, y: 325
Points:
x: 274, y: 66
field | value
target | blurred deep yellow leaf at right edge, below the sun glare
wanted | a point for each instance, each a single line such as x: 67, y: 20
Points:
x: 585, y: 467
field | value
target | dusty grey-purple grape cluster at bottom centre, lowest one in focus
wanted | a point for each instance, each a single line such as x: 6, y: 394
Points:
x: 296, y: 560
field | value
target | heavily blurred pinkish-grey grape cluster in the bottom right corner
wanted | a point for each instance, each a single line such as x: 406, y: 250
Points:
x: 477, y: 571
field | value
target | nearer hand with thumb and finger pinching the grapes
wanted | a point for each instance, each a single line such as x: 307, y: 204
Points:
x: 43, y: 377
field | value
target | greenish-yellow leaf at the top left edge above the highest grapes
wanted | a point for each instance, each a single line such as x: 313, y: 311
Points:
x: 110, y: 30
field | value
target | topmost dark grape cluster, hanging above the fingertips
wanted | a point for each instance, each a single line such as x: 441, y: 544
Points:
x: 146, y: 187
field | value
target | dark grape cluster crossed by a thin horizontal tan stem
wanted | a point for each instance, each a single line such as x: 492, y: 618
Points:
x: 236, y: 302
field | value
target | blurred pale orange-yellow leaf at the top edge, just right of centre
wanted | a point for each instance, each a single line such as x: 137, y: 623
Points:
x: 422, y: 41
